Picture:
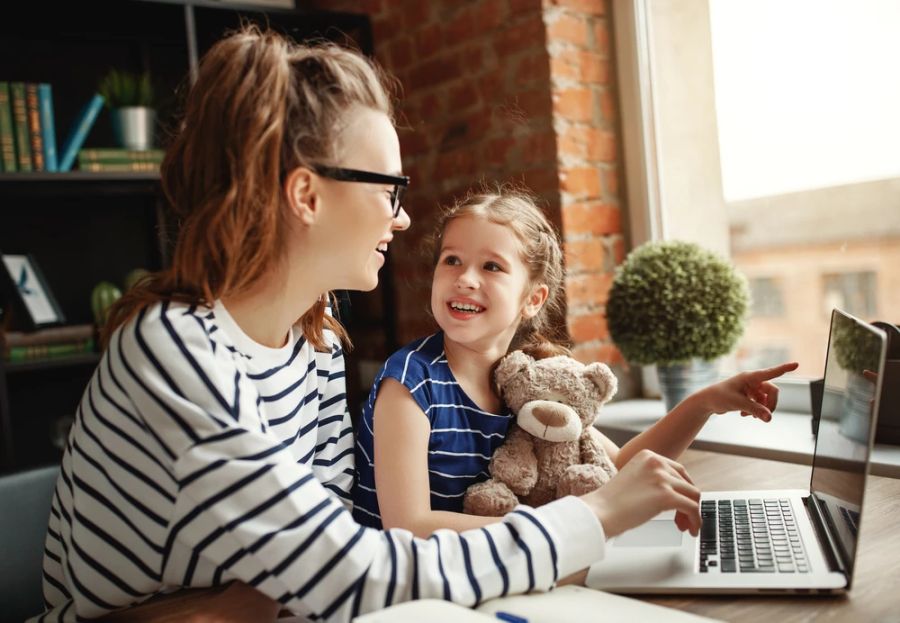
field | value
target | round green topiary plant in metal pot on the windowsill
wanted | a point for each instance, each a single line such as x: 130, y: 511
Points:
x: 680, y: 307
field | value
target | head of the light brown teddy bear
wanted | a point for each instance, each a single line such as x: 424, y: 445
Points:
x: 553, y: 398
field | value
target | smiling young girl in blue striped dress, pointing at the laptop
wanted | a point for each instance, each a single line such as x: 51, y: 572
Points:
x: 432, y: 420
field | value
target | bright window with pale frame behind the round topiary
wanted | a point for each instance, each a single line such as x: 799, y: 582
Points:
x: 767, y: 131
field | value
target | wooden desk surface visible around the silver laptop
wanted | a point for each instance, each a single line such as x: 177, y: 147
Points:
x: 875, y: 595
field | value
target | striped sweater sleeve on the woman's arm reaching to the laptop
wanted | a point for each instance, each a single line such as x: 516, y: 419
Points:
x: 246, y: 510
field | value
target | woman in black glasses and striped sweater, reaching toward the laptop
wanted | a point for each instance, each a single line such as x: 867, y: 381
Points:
x: 212, y: 443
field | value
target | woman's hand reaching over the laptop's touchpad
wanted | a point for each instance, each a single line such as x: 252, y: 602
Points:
x: 646, y: 486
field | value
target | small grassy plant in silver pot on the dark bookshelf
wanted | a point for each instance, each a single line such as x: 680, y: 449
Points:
x: 130, y: 99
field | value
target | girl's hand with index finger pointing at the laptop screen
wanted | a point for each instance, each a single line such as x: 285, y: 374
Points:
x: 751, y: 393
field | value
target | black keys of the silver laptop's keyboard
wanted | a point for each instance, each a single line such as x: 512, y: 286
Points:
x: 750, y: 536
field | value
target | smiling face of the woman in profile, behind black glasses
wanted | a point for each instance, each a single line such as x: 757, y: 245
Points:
x: 359, y: 215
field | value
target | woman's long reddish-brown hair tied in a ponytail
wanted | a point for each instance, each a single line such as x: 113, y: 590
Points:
x: 261, y: 106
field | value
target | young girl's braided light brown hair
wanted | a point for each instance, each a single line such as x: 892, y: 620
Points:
x: 544, y: 334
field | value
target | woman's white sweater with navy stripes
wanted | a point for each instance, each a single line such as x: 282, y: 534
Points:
x: 194, y: 462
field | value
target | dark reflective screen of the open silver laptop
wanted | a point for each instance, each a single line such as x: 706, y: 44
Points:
x: 853, y: 371
